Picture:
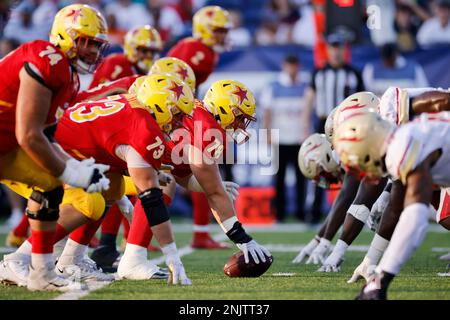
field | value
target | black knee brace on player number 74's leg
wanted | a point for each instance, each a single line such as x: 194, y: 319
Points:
x: 49, y: 204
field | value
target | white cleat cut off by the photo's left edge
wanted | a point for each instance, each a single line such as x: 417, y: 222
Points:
x: 14, y: 269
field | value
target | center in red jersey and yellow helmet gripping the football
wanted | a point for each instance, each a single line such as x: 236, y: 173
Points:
x: 195, y: 154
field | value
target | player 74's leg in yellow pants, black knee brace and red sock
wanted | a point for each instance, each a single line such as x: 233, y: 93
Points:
x: 43, y: 212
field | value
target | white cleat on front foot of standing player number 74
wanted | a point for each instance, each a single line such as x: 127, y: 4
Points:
x: 46, y: 279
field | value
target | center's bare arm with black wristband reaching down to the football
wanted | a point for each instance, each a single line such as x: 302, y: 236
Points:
x: 207, y: 175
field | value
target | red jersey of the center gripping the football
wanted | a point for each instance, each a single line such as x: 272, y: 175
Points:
x: 204, y: 133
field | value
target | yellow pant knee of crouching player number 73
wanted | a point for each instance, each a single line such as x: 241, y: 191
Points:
x: 91, y: 205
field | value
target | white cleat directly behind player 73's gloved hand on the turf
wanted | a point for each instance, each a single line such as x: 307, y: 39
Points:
x: 137, y: 269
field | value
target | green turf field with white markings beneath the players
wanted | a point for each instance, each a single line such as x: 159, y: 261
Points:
x: 418, y: 279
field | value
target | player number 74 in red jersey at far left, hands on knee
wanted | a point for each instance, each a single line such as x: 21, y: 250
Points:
x: 38, y: 81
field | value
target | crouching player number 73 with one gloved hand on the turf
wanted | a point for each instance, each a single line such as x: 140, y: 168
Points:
x: 127, y: 133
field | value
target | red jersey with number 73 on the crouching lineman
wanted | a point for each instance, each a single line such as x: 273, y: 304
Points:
x: 96, y: 128
